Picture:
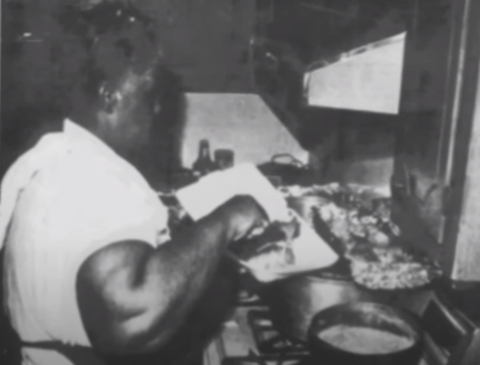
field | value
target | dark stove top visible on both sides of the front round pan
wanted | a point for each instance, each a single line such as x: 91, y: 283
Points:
x: 250, y: 338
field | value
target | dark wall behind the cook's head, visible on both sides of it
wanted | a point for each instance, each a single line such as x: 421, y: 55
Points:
x: 45, y: 58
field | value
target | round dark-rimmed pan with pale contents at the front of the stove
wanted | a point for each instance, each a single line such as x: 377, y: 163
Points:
x: 365, y: 333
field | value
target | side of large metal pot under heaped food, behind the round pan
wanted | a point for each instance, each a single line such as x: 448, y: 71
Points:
x: 294, y: 301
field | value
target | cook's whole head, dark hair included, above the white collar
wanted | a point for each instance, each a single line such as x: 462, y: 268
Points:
x: 127, y: 95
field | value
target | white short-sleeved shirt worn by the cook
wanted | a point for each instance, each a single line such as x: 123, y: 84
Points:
x: 64, y: 199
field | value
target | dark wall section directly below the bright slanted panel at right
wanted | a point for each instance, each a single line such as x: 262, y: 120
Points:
x: 350, y: 147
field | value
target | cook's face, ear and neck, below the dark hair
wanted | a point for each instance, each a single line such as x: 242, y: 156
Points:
x: 141, y: 117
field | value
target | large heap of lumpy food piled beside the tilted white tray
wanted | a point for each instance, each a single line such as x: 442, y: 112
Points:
x: 361, y: 222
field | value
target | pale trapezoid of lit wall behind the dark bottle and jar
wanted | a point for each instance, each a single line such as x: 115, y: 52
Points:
x: 242, y: 122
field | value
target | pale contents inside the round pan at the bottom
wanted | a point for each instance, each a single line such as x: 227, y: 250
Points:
x: 364, y: 340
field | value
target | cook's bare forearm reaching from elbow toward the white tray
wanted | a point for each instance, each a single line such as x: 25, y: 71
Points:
x: 183, y: 268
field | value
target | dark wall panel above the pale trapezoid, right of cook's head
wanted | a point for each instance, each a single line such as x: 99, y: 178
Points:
x: 207, y: 42
